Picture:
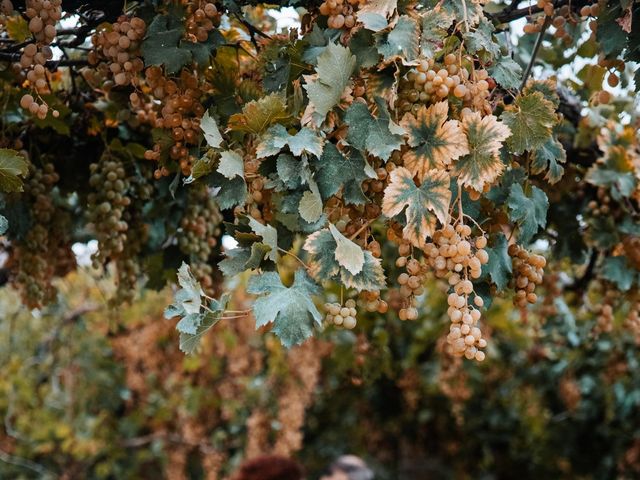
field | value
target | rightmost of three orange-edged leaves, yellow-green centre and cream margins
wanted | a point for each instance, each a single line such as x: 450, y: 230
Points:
x: 483, y: 165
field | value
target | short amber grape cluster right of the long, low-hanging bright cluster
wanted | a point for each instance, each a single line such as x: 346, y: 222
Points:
x: 528, y: 272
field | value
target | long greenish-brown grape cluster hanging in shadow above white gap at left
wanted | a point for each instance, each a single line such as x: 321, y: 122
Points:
x: 107, y: 204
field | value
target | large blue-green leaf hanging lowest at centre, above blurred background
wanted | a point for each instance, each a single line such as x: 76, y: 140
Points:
x: 291, y: 310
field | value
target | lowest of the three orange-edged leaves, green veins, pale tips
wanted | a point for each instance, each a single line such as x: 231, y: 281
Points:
x: 432, y: 196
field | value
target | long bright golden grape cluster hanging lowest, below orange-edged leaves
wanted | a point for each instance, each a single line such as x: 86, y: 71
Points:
x: 453, y: 255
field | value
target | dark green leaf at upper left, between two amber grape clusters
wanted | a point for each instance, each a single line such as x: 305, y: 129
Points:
x: 160, y: 46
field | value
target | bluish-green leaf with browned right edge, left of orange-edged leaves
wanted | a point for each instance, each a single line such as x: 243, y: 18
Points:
x: 378, y: 136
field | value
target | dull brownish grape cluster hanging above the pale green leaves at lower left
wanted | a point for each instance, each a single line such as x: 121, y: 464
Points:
x: 200, y: 233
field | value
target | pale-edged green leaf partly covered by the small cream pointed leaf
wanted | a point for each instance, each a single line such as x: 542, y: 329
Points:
x: 324, y: 266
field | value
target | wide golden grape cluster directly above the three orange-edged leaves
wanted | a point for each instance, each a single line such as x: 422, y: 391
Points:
x: 430, y: 82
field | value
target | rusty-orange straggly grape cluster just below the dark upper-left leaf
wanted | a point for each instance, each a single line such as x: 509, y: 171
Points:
x: 179, y: 113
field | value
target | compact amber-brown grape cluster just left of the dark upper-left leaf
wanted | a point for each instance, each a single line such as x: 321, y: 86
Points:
x: 116, y: 51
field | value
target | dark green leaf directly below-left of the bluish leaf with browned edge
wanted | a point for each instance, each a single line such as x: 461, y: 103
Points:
x: 335, y: 170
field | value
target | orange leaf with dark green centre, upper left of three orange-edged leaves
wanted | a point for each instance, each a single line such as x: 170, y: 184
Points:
x: 436, y: 140
